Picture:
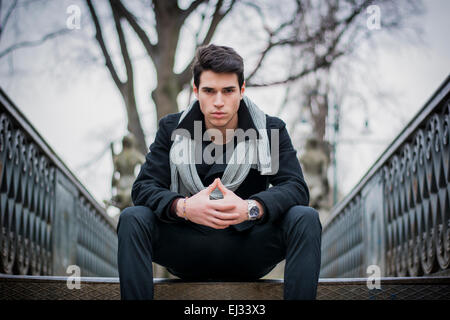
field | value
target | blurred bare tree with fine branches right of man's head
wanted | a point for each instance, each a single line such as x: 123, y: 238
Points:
x: 319, y: 33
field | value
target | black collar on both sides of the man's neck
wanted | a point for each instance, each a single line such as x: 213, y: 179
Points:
x: 245, y: 120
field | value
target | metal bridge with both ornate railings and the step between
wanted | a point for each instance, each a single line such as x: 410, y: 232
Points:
x: 397, y: 218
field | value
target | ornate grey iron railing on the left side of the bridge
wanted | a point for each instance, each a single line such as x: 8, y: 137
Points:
x: 48, y: 220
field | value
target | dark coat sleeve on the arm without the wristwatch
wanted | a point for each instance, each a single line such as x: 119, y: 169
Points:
x: 152, y: 185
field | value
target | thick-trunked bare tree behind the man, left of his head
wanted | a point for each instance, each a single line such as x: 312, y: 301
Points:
x: 169, y: 19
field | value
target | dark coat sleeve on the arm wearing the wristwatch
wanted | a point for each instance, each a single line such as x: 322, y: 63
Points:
x: 288, y: 185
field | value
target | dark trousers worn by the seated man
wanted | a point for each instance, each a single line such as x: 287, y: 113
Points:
x: 203, y: 253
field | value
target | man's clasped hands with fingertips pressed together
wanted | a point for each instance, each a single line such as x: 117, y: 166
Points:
x: 217, y: 214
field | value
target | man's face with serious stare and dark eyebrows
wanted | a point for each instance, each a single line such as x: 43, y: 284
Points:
x: 219, y: 97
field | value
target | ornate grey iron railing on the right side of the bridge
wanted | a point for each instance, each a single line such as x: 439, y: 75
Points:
x: 398, y: 216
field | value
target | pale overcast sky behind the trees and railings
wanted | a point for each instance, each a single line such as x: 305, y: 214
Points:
x: 78, y: 110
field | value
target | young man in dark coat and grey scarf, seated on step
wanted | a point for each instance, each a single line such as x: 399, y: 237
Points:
x: 203, y: 206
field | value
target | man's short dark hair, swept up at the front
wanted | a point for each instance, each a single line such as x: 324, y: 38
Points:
x: 219, y: 59
